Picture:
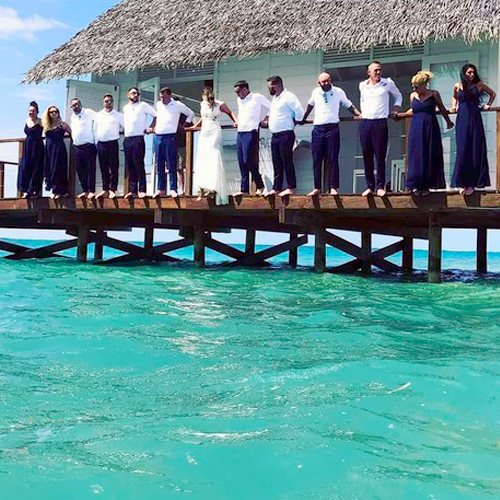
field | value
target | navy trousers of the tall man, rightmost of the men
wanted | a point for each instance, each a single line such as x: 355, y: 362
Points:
x: 374, y: 135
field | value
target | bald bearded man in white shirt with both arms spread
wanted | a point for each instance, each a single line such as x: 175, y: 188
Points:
x: 326, y: 101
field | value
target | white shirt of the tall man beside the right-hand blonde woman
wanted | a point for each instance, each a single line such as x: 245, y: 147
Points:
x: 375, y: 99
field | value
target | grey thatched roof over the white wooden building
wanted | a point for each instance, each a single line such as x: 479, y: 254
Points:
x: 140, y: 33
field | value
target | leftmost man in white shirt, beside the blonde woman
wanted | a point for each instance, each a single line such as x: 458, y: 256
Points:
x: 82, y: 133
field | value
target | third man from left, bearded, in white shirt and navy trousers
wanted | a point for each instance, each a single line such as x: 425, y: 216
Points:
x: 135, y: 115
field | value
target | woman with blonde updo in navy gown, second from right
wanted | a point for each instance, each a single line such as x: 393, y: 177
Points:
x: 425, y: 149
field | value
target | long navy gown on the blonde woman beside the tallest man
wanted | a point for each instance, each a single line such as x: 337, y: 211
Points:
x: 425, y: 149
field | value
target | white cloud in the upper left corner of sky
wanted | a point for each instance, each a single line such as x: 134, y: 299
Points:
x: 14, y: 26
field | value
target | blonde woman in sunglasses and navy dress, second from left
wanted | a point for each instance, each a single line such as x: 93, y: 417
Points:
x: 56, y: 158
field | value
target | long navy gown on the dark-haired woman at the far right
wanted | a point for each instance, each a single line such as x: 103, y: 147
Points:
x: 471, y: 164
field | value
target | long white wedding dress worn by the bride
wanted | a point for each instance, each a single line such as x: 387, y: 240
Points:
x: 209, y: 169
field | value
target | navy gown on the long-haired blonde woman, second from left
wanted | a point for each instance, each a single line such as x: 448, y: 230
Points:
x: 56, y: 162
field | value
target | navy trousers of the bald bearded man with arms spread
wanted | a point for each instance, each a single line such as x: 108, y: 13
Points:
x: 325, y: 146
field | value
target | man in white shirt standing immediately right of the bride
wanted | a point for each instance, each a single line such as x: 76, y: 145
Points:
x: 250, y: 110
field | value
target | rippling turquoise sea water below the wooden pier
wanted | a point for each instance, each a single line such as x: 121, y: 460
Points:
x: 165, y: 382
